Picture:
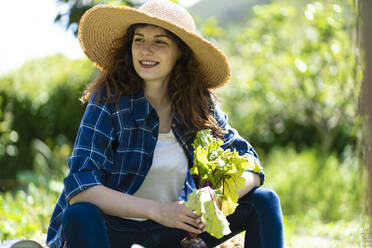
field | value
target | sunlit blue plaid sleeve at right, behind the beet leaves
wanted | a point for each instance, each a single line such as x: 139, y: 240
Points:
x: 233, y: 141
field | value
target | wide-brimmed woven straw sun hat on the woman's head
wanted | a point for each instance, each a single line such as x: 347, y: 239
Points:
x: 103, y: 24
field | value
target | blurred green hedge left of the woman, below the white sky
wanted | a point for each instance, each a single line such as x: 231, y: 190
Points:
x: 39, y: 116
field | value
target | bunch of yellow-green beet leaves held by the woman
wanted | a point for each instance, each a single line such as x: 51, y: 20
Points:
x: 220, y: 174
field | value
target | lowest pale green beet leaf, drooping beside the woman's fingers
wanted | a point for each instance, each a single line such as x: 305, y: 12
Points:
x: 203, y: 202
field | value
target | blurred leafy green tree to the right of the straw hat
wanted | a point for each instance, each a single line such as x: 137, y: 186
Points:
x: 296, y: 77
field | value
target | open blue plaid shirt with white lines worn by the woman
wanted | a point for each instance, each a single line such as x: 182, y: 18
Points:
x: 114, y: 147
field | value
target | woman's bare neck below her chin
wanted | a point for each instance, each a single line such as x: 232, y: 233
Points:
x: 157, y: 94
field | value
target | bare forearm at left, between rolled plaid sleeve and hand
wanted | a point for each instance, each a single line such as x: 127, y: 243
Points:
x: 115, y: 203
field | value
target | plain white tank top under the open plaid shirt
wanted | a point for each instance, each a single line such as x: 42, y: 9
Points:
x: 167, y: 174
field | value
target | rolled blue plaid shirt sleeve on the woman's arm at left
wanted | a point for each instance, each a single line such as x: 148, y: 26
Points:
x: 93, y: 151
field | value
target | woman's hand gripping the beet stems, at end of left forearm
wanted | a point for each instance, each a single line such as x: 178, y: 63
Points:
x: 176, y: 215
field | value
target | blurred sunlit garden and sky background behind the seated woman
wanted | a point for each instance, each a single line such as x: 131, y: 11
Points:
x: 294, y: 94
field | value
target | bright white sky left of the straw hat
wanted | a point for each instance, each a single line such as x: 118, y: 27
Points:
x: 32, y: 33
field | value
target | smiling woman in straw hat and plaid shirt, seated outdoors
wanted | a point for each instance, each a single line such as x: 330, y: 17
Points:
x: 129, y: 172
